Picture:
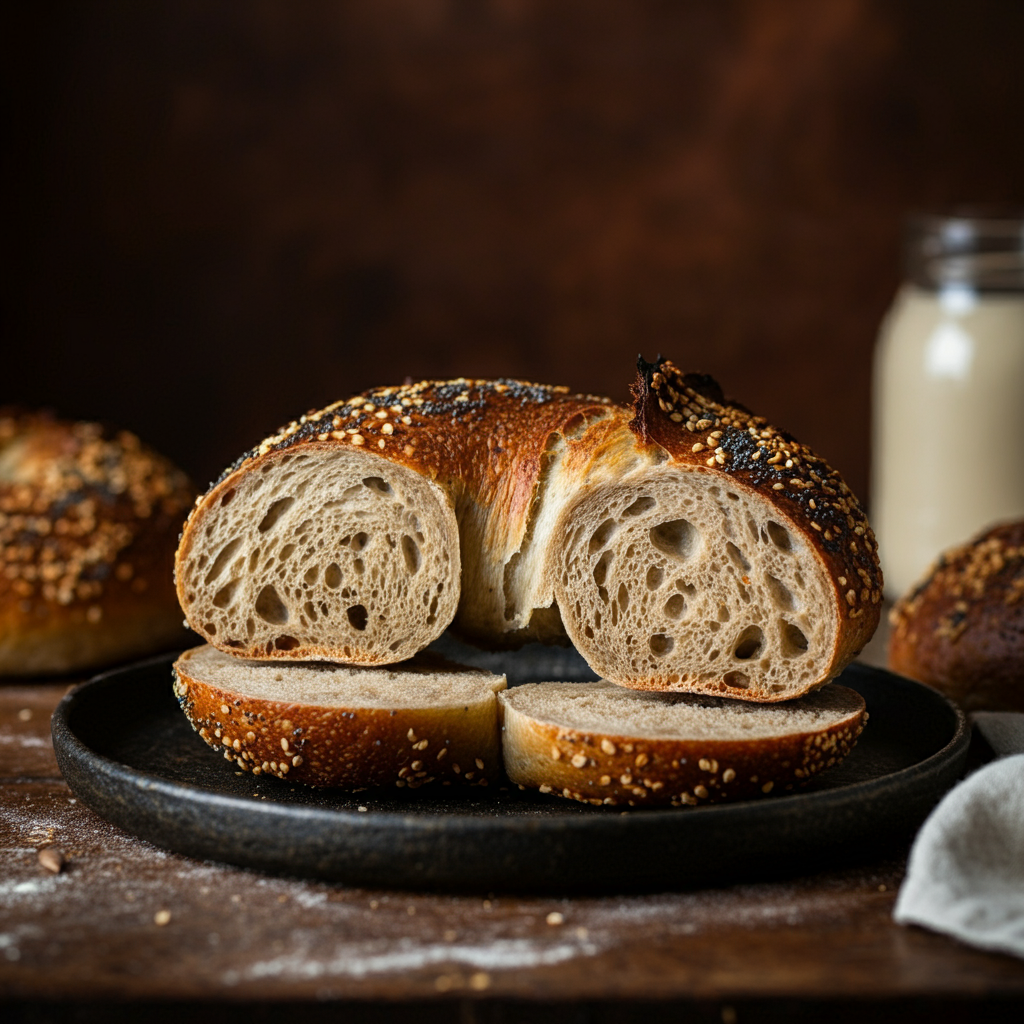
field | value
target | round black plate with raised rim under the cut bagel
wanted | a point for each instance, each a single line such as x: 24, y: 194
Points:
x: 130, y: 754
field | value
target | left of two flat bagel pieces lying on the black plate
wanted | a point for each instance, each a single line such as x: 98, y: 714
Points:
x: 424, y: 721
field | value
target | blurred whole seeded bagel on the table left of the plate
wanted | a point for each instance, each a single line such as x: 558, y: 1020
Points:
x: 90, y: 522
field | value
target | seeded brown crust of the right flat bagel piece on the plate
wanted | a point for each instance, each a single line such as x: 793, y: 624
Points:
x: 608, y: 769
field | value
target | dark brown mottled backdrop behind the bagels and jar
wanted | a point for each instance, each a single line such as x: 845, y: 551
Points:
x: 220, y: 216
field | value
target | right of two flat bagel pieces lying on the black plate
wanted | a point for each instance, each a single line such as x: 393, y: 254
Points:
x: 601, y: 744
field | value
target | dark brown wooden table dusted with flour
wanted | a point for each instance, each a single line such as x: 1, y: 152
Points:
x: 125, y: 921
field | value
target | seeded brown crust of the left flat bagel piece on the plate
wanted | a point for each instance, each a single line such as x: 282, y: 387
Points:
x: 349, y: 748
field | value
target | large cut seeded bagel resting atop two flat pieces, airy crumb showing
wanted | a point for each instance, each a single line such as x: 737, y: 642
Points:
x: 681, y: 544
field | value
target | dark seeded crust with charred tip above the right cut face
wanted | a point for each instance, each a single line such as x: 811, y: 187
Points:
x: 691, y: 418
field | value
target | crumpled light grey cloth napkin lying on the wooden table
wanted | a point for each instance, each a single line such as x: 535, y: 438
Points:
x: 966, y: 873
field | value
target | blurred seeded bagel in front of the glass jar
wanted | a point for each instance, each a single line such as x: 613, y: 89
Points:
x: 962, y: 629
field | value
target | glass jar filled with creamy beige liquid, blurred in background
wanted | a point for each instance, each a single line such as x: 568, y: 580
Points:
x: 949, y: 447
